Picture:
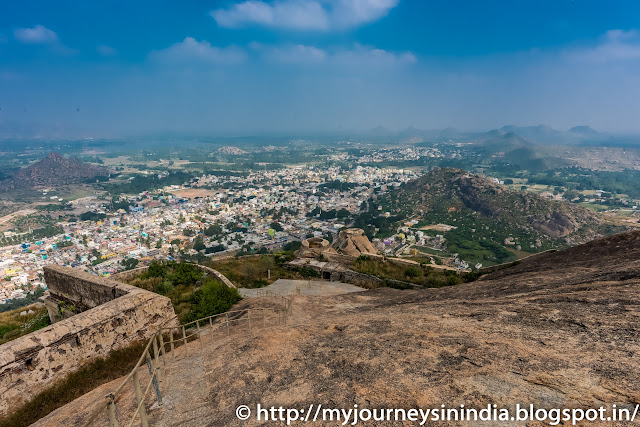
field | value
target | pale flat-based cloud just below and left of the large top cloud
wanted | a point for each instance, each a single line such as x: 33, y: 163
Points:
x: 191, y: 50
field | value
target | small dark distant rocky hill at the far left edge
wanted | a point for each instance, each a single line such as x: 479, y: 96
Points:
x: 54, y: 170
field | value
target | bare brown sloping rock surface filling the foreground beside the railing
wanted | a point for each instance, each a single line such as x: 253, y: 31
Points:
x: 559, y: 330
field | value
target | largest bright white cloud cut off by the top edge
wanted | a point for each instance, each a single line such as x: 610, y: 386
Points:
x: 318, y: 15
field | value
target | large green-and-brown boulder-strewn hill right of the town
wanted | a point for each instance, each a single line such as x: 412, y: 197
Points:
x: 489, y: 211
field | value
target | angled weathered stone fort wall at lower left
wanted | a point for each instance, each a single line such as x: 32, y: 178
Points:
x: 122, y: 315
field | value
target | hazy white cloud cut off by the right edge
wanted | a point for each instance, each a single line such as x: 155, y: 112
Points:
x: 615, y: 45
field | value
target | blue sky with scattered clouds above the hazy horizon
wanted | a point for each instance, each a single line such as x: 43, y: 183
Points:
x: 245, y: 67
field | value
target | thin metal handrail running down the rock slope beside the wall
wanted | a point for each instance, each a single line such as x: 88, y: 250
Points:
x: 157, y: 368
